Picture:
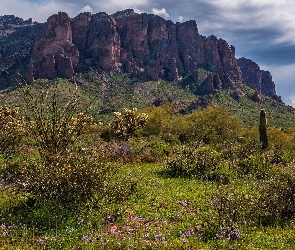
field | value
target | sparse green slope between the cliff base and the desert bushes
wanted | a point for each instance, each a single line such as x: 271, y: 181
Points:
x: 109, y: 93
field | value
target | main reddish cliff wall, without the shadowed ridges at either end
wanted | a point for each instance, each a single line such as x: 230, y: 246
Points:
x: 141, y: 44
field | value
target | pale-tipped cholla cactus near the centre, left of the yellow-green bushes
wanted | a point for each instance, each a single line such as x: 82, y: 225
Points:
x: 124, y: 125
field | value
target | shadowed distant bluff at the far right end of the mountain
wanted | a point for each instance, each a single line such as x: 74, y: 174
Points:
x: 255, y: 78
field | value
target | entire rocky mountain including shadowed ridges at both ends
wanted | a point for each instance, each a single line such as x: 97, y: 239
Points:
x: 144, y: 45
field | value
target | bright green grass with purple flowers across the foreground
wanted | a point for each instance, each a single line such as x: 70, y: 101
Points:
x: 167, y: 213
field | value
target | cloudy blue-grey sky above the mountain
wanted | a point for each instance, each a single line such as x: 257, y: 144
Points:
x: 261, y: 30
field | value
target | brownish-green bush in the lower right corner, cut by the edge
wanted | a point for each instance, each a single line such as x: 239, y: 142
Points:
x: 265, y: 202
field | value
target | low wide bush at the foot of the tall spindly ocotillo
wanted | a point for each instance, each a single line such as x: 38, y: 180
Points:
x: 69, y: 182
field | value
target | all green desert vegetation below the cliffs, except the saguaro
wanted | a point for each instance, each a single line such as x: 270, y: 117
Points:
x: 95, y: 165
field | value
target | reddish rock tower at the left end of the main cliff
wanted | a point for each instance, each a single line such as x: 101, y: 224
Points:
x: 54, y: 54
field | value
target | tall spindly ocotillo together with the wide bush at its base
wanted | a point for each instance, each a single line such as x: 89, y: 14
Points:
x: 63, y: 174
